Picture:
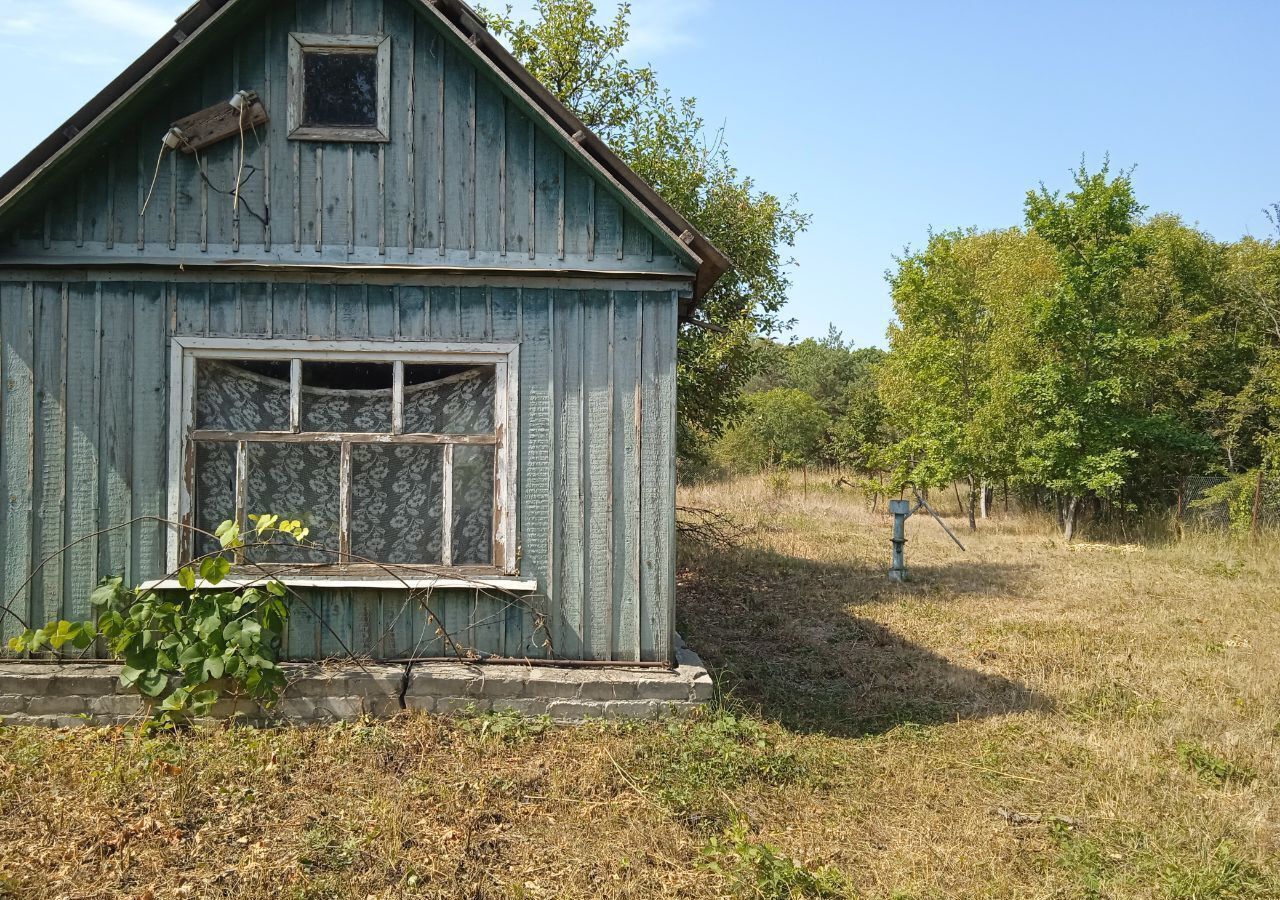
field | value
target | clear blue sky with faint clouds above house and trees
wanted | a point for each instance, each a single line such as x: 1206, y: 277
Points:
x: 885, y: 120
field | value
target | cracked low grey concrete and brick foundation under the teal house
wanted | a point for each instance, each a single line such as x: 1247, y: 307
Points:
x: 89, y: 693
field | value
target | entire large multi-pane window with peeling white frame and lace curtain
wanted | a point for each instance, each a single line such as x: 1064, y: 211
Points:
x: 392, y: 458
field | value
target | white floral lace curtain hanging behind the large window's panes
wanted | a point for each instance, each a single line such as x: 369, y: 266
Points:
x: 397, y: 490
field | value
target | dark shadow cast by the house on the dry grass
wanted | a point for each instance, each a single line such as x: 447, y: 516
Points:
x: 783, y: 637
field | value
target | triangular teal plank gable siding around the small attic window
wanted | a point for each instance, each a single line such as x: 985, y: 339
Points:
x: 469, y: 179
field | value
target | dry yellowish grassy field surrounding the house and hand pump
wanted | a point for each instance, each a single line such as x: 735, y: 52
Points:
x: 1023, y: 720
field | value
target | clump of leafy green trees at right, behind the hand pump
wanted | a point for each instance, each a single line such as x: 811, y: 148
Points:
x: 1094, y: 360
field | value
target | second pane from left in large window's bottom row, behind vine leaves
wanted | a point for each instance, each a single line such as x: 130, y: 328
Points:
x: 296, y: 482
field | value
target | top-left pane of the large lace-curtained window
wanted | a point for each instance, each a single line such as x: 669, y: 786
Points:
x: 243, y: 396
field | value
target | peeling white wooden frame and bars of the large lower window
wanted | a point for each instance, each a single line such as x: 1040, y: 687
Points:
x: 182, y: 433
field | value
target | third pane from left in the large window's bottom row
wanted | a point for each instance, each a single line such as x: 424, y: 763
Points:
x: 397, y: 502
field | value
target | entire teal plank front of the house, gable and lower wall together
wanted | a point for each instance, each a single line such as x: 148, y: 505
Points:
x: 365, y: 241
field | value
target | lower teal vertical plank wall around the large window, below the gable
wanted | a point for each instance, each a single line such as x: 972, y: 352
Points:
x: 84, y: 406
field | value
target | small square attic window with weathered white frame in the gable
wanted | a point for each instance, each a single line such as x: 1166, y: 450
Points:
x: 340, y: 88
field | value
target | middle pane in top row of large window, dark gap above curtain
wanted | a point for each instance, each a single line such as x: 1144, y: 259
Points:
x: 348, y: 398
